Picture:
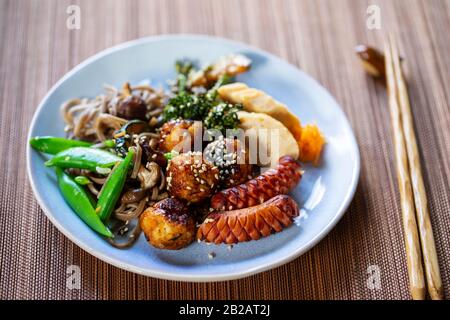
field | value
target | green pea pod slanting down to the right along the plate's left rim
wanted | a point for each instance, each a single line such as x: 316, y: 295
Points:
x: 79, y: 201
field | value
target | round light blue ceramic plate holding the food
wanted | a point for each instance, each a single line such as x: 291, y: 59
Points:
x: 324, y: 192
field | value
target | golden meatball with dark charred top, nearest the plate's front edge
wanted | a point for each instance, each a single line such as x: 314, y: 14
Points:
x: 168, y: 224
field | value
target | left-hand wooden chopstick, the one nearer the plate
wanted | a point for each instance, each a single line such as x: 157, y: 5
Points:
x: 411, y: 237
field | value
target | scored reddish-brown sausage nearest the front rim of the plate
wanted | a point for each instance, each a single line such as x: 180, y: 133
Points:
x: 249, y: 223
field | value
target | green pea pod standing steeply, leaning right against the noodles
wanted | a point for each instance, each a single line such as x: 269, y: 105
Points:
x: 113, y: 187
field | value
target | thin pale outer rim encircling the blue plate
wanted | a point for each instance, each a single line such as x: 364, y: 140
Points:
x: 177, y: 276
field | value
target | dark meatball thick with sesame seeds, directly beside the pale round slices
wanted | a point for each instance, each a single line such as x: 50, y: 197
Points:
x: 231, y: 159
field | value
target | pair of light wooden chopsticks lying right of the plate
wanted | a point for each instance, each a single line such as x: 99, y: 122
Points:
x: 418, y: 233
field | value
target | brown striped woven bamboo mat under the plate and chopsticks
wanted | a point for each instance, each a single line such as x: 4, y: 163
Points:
x: 317, y: 36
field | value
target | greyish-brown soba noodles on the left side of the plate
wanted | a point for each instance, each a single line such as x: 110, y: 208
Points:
x: 96, y: 120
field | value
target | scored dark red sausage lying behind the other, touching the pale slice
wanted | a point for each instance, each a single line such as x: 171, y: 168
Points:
x: 279, y: 180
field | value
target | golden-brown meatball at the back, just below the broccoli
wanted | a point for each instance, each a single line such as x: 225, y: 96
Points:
x: 179, y: 135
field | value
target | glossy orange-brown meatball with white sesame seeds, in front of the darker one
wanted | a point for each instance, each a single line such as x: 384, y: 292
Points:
x: 191, y: 178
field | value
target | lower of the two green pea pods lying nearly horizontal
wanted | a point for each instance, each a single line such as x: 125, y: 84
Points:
x: 84, y: 158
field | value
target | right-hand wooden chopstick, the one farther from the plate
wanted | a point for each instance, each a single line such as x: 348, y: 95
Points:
x: 429, y: 253
